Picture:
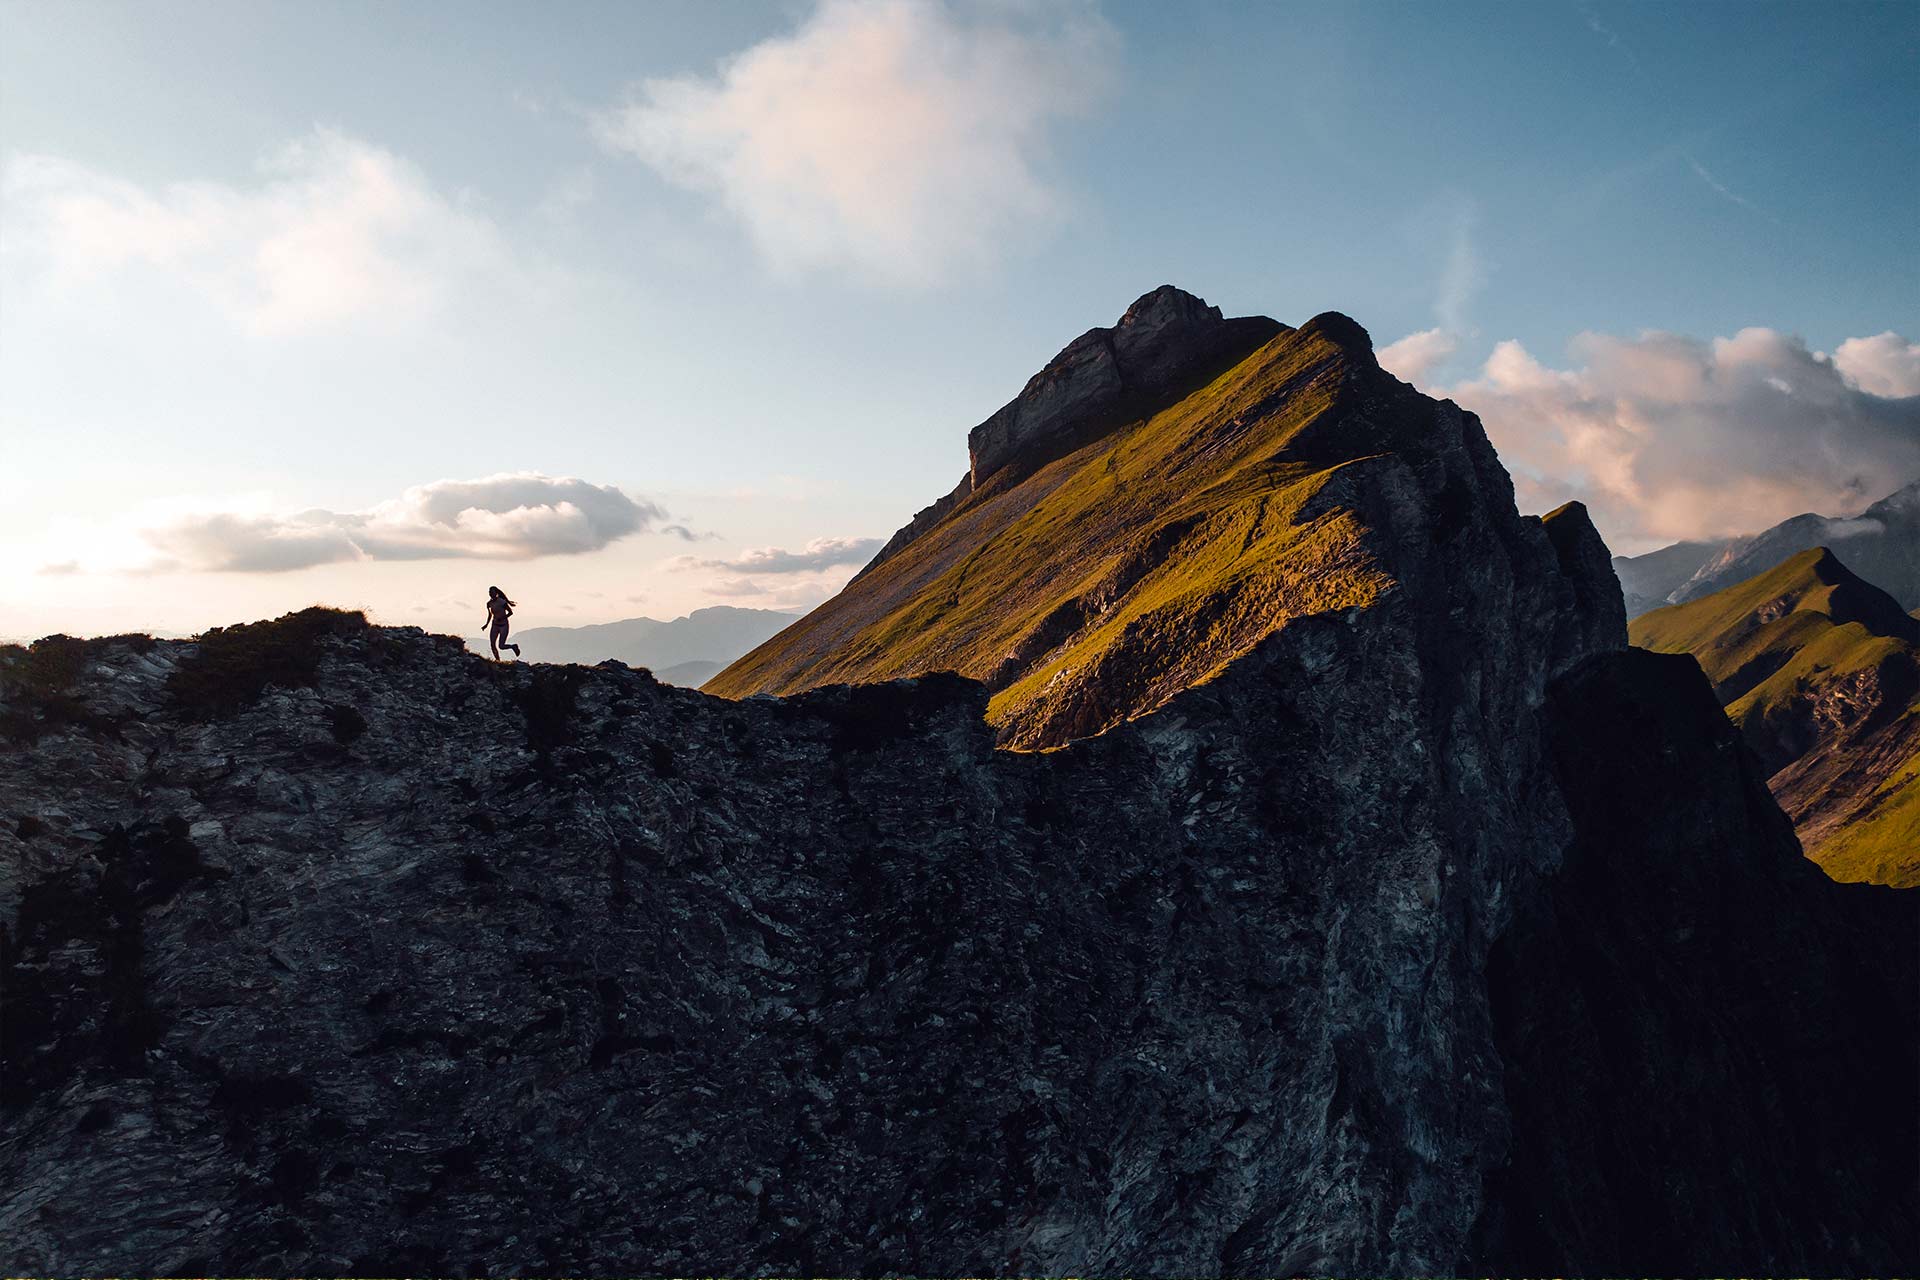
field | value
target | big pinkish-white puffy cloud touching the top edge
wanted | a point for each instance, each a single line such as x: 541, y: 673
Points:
x: 901, y: 139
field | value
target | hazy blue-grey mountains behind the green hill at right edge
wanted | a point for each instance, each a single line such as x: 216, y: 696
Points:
x: 1883, y: 546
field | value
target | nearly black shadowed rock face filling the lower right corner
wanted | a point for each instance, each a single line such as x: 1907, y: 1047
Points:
x: 1658, y: 999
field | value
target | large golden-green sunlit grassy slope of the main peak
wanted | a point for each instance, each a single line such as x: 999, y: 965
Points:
x: 1116, y: 577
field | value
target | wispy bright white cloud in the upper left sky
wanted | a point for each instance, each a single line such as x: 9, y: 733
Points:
x: 333, y: 233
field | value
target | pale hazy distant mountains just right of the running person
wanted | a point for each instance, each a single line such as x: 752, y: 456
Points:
x: 684, y: 652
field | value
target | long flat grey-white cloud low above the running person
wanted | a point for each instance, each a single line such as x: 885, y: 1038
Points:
x: 508, y: 517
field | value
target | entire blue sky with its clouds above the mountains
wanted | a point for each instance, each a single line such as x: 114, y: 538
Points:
x: 270, y: 273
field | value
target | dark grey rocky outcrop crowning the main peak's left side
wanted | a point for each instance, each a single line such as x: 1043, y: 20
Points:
x: 1164, y: 346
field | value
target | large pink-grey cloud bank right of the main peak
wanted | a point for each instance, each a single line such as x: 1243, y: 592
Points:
x: 1673, y: 439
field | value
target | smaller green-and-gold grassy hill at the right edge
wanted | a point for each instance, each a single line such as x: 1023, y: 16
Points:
x: 1821, y: 671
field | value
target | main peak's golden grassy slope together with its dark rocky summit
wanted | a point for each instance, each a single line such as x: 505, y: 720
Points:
x: 1155, y: 504
